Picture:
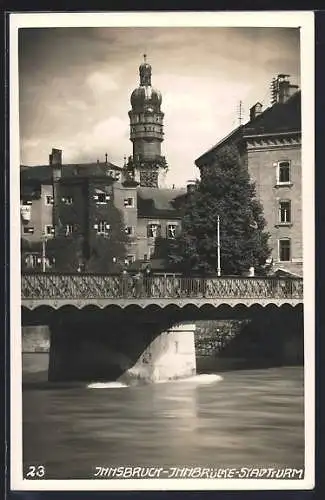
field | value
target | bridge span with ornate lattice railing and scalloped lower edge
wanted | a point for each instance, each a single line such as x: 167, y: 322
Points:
x: 80, y: 290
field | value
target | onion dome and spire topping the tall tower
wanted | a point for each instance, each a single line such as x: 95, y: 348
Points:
x: 145, y: 97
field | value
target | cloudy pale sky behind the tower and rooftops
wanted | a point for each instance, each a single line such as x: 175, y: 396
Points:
x: 75, y: 86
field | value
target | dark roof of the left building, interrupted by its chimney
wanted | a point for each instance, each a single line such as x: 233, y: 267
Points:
x: 43, y: 173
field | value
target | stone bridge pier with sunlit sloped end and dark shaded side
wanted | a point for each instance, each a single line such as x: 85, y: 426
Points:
x: 127, y: 351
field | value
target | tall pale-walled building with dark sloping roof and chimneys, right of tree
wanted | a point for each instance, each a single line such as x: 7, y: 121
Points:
x: 270, y: 145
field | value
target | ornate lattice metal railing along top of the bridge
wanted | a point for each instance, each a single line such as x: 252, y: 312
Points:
x: 82, y: 286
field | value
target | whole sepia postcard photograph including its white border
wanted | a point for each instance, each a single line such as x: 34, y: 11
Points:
x: 162, y: 259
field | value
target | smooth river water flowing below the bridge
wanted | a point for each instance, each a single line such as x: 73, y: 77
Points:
x: 235, y: 419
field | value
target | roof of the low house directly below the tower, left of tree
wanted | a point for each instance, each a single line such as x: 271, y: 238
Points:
x: 155, y: 201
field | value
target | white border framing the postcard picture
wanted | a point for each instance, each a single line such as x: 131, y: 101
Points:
x: 304, y: 20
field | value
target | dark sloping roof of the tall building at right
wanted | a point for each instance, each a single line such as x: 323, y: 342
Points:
x: 279, y: 118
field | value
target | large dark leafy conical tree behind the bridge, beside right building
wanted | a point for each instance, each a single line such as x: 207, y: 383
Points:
x: 225, y: 190
